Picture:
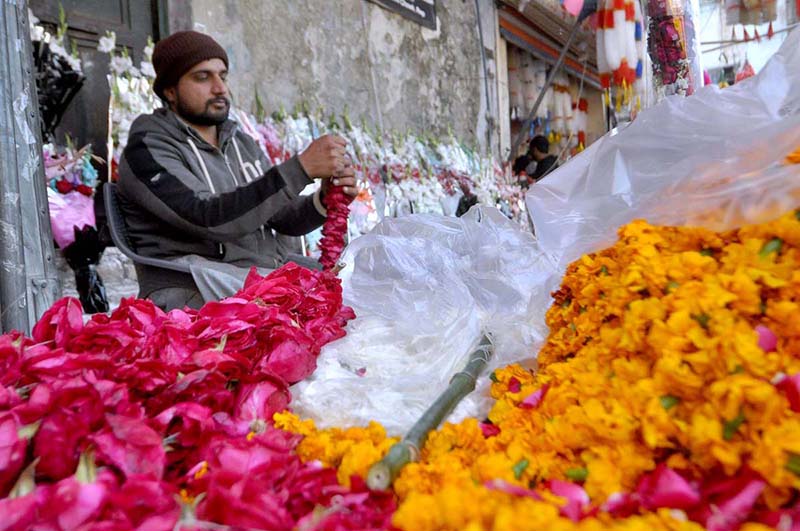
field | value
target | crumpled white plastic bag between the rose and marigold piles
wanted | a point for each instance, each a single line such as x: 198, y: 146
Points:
x: 424, y: 288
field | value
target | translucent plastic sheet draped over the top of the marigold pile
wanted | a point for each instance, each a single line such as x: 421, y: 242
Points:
x: 713, y: 160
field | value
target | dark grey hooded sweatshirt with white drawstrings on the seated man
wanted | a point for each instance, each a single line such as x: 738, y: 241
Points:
x: 182, y: 196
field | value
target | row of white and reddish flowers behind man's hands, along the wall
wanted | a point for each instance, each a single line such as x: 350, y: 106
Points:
x: 398, y: 174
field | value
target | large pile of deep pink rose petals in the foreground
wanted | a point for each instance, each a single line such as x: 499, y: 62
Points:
x: 149, y: 421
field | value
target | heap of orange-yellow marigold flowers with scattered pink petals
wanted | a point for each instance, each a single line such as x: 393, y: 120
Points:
x: 667, y: 396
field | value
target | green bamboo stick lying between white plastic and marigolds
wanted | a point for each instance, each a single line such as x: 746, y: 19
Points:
x: 382, y: 474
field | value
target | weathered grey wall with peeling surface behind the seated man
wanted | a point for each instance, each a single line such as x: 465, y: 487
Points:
x: 355, y: 55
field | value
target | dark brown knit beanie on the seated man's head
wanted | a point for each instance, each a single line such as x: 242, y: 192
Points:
x: 175, y: 55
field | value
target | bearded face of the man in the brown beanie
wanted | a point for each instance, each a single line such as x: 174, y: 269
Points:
x: 201, y: 95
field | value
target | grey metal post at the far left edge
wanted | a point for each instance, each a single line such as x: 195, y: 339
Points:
x: 28, y: 276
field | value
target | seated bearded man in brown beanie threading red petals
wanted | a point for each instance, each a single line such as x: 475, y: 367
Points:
x: 195, y: 189
